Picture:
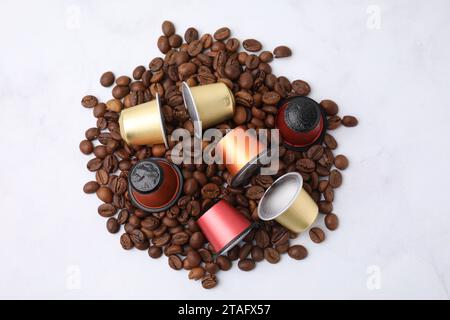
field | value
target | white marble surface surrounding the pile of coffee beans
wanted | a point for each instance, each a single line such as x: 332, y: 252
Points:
x: 394, y: 76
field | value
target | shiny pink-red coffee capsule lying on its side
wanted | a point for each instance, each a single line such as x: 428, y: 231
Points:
x: 223, y: 226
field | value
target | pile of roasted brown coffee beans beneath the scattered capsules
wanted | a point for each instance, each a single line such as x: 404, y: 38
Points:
x: 199, y: 60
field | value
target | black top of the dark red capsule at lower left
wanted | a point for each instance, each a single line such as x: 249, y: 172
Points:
x: 146, y: 176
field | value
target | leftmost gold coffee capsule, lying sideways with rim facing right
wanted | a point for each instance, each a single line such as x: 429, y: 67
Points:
x: 143, y: 124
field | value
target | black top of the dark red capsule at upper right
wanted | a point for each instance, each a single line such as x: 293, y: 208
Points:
x: 302, y: 114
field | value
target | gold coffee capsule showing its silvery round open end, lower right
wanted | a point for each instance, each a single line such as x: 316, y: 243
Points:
x: 288, y: 203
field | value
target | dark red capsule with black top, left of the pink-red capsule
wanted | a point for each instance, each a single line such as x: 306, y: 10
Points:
x: 155, y: 184
